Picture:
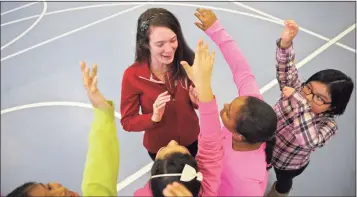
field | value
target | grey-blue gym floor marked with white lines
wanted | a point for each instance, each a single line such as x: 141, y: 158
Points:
x: 45, y: 114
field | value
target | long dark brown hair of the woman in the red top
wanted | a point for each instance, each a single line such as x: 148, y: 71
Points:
x: 160, y: 17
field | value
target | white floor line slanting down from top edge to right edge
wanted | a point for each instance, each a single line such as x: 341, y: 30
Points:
x: 300, y: 28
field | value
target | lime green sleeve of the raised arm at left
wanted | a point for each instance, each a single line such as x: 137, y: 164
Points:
x: 102, y: 164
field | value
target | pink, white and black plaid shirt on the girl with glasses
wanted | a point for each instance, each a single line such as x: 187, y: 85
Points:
x: 299, y: 130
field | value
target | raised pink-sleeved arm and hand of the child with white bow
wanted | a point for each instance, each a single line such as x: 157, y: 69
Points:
x: 210, y: 139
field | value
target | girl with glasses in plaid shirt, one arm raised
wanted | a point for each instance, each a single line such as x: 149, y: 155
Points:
x: 306, y: 112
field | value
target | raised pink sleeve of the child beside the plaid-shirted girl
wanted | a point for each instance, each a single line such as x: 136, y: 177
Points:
x: 242, y: 74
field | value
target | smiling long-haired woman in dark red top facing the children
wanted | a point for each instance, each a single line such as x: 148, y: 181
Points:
x: 158, y: 85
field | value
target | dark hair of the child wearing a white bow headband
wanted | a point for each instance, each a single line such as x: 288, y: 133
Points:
x: 173, y: 163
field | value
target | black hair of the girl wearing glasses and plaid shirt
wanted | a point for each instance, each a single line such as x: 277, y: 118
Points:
x: 340, y: 88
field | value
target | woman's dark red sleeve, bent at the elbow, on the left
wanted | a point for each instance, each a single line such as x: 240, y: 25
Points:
x: 131, y: 120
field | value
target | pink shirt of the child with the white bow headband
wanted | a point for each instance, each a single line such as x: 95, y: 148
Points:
x: 210, y: 151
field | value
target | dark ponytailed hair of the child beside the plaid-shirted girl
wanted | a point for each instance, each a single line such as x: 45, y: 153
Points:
x: 257, y: 122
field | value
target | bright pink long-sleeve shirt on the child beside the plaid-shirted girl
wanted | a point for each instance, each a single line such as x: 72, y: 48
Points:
x: 244, y: 172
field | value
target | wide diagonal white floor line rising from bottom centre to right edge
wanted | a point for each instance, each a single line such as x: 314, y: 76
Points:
x: 267, y: 87
